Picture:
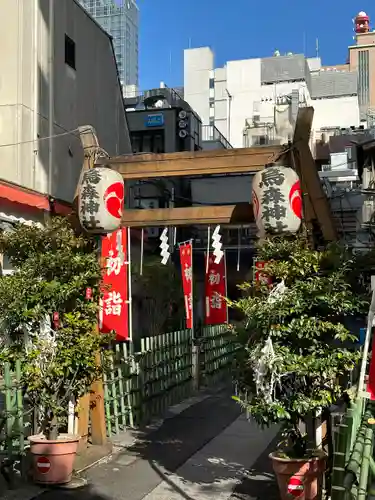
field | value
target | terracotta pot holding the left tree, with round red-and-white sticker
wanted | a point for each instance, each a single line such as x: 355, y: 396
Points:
x: 53, y: 461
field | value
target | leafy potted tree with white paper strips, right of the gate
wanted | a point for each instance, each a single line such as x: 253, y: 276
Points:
x: 296, y: 349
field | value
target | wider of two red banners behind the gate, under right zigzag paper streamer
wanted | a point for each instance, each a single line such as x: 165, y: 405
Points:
x: 216, y: 310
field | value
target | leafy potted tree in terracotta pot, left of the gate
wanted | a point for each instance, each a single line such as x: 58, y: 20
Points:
x: 49, y: 324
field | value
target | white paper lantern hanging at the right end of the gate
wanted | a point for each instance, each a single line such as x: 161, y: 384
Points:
x: 277, y: 201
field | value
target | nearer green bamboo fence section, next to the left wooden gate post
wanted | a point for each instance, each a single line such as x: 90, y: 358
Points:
x: 141, y: 385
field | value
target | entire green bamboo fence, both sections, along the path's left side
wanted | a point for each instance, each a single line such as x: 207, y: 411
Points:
x: 140, y: 386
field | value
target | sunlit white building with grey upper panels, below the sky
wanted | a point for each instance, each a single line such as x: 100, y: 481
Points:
x: 255, y: 101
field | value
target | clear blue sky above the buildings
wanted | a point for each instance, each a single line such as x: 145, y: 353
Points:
x: 240, y: 29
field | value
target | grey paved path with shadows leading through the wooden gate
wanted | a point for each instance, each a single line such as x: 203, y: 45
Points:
x: 205, y: 452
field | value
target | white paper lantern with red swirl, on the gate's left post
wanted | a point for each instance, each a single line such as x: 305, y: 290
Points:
x: 101, y: 200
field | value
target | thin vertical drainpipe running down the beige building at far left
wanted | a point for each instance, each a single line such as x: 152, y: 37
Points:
x: 51, y: 93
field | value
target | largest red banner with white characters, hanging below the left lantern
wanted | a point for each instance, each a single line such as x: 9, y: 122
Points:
x: 114, y: 311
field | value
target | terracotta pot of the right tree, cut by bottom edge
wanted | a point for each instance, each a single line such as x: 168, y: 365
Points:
x: 299, y: 478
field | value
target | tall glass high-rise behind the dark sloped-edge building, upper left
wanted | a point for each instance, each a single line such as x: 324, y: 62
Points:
x: 120, y: 20
